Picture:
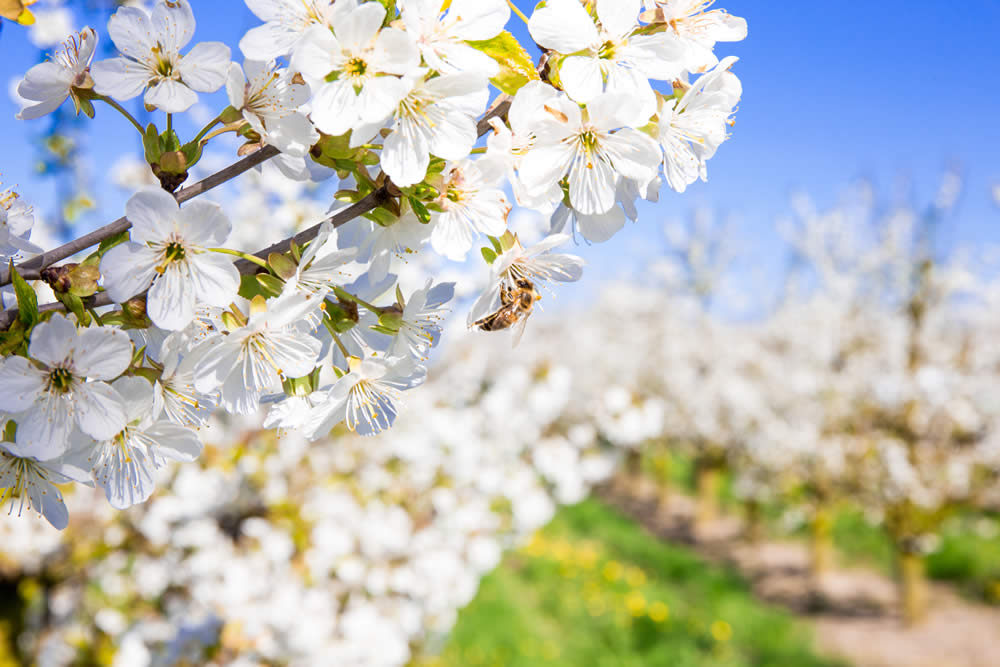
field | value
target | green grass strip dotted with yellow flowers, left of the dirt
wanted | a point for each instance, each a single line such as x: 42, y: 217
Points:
x: 594, y: 590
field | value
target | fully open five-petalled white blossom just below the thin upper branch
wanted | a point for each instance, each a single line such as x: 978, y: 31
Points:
x: 169, y: 254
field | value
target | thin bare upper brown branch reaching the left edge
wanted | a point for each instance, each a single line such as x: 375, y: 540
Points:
x: 32, y: 268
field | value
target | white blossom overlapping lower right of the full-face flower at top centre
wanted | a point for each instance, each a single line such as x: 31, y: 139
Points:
x: 437, y: 116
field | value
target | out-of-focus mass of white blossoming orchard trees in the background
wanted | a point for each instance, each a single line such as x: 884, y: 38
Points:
x: 383, y: 540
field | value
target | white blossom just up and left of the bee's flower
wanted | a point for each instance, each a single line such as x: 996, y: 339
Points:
x: 471, y: 205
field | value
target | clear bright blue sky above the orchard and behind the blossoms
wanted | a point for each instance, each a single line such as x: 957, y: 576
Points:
x: 893, y: 91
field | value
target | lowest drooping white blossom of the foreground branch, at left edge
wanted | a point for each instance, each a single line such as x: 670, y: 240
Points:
x: 26, y: 481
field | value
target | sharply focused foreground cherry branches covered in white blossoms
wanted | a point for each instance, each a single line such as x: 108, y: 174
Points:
x: 428, y: 113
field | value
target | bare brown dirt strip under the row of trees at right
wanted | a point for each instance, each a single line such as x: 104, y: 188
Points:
x: 852, y: 611
